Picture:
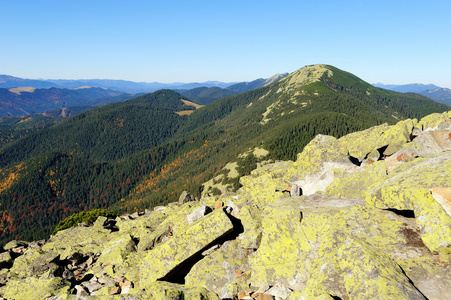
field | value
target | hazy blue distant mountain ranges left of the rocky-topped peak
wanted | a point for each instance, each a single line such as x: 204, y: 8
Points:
x: 20, y: 96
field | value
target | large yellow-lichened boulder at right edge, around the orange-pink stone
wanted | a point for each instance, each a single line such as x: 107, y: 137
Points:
x: 408, y: 186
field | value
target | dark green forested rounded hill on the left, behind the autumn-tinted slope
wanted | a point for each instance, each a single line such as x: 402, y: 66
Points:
x: 106, y: 133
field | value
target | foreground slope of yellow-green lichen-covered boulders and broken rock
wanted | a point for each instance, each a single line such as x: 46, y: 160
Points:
x: 365, y: 216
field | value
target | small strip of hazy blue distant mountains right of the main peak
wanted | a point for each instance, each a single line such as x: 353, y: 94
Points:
x: 432, y: 91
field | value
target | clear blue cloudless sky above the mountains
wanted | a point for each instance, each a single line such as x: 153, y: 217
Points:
x: 395, y: 42
